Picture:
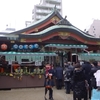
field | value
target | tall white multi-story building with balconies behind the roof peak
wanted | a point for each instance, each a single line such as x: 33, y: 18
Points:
x: 44, y: 8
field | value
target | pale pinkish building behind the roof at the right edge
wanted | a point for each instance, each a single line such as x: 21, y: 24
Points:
x: 95, y: 28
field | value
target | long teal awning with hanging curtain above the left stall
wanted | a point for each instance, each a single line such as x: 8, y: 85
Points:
x: 18, y: 56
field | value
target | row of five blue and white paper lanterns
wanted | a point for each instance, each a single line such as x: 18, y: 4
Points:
x: 31, y: 46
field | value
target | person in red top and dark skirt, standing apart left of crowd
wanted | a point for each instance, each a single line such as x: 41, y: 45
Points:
x: 49, y: 73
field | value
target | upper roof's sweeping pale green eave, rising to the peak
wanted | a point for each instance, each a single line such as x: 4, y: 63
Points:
x: 40, y: 22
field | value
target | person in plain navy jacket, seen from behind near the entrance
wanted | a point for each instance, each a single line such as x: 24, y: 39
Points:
x: 59, y: 76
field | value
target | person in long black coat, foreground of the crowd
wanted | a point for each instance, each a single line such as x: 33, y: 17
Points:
x: 80, y: 83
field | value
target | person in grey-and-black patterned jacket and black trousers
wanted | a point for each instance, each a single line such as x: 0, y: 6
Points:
x: 67, y: 73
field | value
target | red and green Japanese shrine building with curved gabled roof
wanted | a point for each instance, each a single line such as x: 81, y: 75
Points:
x: 53, y: 40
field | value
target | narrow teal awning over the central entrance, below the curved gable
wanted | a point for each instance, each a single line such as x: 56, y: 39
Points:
x: 66, y: 46
